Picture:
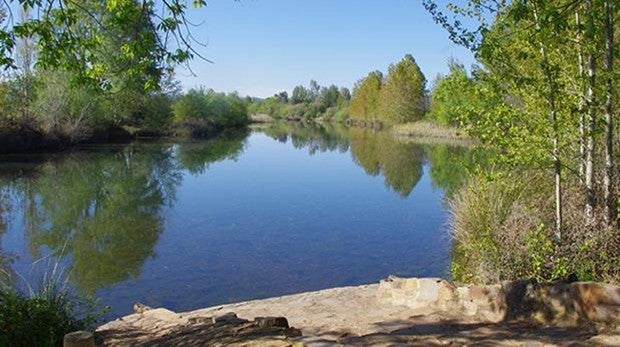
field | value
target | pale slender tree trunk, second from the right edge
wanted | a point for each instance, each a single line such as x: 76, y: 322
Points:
x: 590, y: 119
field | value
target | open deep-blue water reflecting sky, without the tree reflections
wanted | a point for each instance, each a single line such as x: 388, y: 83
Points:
x: 274, y: 221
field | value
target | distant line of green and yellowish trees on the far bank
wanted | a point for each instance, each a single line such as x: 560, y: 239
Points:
x: 398, y: 97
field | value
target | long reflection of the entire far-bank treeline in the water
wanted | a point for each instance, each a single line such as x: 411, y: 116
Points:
x: 399, y: 161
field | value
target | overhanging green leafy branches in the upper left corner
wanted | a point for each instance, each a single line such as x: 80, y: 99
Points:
x: 64, y: 43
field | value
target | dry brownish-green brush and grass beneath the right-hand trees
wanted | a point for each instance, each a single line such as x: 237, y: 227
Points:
x: 503, y: 230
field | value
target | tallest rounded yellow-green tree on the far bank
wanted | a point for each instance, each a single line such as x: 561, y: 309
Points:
x: 403, y: 95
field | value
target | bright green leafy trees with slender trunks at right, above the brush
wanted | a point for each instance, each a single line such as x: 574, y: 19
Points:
x: 543, y: 60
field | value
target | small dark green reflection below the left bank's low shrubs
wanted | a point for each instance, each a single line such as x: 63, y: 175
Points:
x: 196, y: 156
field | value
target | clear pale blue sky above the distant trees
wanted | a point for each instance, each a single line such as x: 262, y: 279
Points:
x: 260, y: 47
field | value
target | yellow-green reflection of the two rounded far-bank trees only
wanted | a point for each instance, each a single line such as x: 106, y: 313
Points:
x: 399, y: 162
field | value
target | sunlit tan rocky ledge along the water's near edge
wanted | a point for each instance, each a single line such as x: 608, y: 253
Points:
x: 397, y: 311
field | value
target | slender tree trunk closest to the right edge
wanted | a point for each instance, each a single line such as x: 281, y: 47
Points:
x: 608, y: 181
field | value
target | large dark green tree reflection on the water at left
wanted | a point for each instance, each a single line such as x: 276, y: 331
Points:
x: 102, y: 209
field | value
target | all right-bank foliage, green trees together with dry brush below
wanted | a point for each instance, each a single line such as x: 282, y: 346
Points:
x: 543, y: 99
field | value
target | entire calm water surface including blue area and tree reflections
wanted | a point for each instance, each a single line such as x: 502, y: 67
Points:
x: 247, y: 215
